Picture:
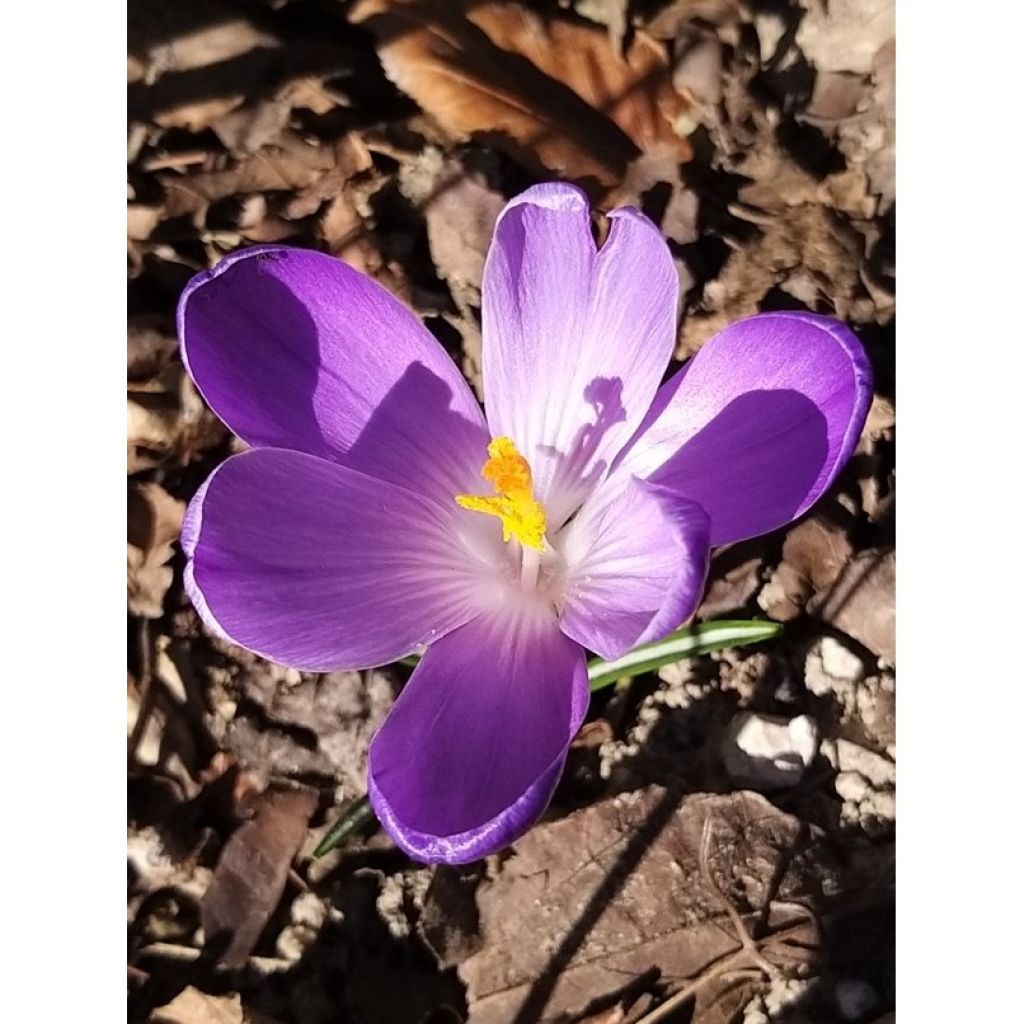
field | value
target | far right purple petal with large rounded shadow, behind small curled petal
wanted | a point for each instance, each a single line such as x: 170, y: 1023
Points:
x: 757, y: 425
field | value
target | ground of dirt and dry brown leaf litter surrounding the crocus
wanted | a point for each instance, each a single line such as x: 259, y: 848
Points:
x: 659, y: 886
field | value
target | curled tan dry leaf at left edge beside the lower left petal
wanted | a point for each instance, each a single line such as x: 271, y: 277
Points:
x: 154, y: 525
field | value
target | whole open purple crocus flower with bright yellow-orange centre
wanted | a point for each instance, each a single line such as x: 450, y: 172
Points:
x: 379, y: 513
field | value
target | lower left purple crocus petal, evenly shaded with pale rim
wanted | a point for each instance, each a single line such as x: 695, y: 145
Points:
x: 322, y: 568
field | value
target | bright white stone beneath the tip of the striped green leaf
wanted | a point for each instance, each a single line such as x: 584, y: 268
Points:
x: 764, y: 752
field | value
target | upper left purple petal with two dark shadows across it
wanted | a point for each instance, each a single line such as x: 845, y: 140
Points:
x: 295, y: 350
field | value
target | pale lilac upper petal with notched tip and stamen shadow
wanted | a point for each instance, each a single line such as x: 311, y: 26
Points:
x: 576, y: 340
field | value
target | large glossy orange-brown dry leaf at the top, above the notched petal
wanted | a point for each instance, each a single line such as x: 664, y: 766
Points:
x: 552, y: 93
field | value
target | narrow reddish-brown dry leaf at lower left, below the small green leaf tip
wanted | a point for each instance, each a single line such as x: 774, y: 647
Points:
x: 251, y: 874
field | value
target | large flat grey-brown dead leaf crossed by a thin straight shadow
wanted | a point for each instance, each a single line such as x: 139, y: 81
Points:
x: 588, y: 905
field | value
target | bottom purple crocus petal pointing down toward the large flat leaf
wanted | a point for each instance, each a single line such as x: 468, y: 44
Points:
x: 473, y: 751
